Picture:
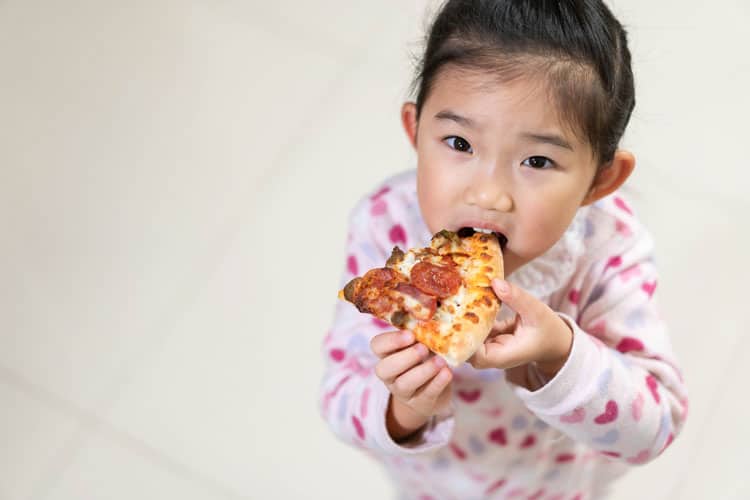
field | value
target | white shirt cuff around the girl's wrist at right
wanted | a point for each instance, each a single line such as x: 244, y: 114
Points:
x: 575, y: 381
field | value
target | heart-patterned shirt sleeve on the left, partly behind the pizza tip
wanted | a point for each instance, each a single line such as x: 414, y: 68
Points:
x: 353, y: 401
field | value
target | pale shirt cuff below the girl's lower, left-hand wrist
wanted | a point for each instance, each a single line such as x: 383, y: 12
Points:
x: 436, y: 433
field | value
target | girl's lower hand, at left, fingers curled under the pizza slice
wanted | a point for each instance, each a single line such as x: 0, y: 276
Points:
x: 420, y: 383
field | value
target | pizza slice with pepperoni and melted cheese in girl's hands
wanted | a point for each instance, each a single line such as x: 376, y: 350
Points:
x: 441, y: 293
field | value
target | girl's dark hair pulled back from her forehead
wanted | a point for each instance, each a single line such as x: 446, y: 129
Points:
x: 577, y: 44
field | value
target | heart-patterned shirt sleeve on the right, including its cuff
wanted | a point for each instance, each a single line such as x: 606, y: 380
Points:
x: 620, y: 390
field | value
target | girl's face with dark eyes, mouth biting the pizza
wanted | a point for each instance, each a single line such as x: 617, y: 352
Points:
x: 496, y: 156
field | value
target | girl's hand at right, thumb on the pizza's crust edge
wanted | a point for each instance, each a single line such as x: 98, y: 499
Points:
x: 537, y: 334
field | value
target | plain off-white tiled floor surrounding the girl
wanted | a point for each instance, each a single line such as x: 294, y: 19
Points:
x: 151, y: 150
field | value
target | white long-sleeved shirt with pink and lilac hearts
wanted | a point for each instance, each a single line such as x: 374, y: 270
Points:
x: 618, y: 400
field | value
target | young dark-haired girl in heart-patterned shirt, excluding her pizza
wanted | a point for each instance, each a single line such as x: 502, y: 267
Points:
x: 520, y: 108
